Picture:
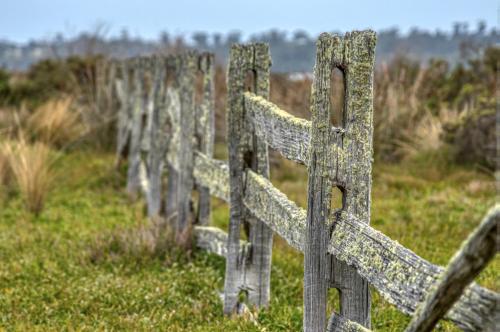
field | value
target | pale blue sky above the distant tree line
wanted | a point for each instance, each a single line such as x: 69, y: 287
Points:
x: 23, y: 20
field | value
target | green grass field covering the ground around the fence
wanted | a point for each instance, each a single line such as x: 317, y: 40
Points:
x: 51, y: 280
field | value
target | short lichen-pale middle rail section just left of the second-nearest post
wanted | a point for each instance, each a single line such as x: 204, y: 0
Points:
x: 212, y: 174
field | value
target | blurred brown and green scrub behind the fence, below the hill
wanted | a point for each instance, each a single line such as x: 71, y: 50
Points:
x: 419, y: 107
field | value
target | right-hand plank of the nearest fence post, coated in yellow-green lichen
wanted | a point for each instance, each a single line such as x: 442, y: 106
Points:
x: 356, y: 61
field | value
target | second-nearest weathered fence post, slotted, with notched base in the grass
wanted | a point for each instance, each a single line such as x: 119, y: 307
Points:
x: 246, y: 151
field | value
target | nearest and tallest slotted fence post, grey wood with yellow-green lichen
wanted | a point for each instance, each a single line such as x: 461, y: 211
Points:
x: 354, y: 56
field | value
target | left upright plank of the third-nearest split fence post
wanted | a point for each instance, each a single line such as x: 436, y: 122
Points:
x: 186, y: 79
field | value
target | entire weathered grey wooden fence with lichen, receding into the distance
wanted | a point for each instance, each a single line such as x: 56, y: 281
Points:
x: 167, y: 127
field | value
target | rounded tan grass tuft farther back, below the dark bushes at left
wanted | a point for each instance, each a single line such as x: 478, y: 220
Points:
x: 55, y: 123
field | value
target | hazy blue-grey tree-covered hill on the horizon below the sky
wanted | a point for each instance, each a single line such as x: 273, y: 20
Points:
x: 291, y: 52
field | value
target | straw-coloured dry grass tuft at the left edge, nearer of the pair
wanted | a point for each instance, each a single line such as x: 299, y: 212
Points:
x: 32, y: 168
